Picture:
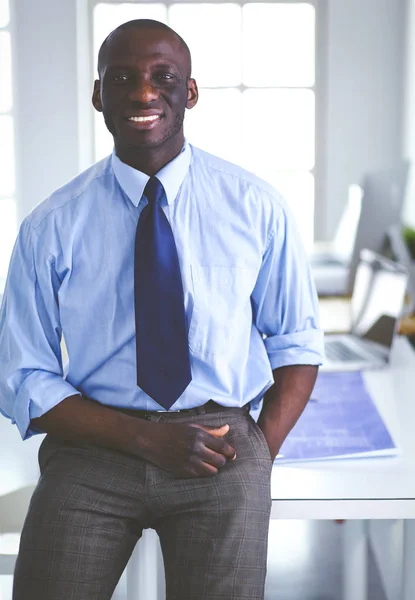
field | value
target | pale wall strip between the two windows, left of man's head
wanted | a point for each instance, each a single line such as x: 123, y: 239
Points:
x: 45, y: 97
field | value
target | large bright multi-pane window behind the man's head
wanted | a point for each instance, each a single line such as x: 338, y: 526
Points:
x: 256, y: 78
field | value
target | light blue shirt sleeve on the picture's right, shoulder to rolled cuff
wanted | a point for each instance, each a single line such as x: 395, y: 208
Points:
x: 285, y: 304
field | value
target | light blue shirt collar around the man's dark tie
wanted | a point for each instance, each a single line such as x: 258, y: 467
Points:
x: 171, y: 176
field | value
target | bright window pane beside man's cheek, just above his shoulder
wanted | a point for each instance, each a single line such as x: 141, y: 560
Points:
x: 214, y: 124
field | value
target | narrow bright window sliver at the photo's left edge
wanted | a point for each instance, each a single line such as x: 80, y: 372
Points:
x: 8, y: 219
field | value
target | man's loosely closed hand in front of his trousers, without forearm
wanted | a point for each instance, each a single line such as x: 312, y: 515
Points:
x: 188, y: 450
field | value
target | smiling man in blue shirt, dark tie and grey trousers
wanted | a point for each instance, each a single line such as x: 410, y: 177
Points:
x: 165, y: 288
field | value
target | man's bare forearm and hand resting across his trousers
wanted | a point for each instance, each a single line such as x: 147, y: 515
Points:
x: 187, y: 450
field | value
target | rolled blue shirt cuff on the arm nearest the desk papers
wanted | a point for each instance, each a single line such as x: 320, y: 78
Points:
x: 299, y: 348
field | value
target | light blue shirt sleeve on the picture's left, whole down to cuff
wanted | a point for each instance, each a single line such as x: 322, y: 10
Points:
x: 31, y: 373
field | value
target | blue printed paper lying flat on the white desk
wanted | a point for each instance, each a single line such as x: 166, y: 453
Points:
x: 341, y: 422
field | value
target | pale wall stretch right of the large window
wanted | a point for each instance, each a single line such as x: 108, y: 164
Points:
x: 364, y: 95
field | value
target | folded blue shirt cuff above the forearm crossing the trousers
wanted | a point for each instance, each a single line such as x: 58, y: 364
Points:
x: 39, y: 392
